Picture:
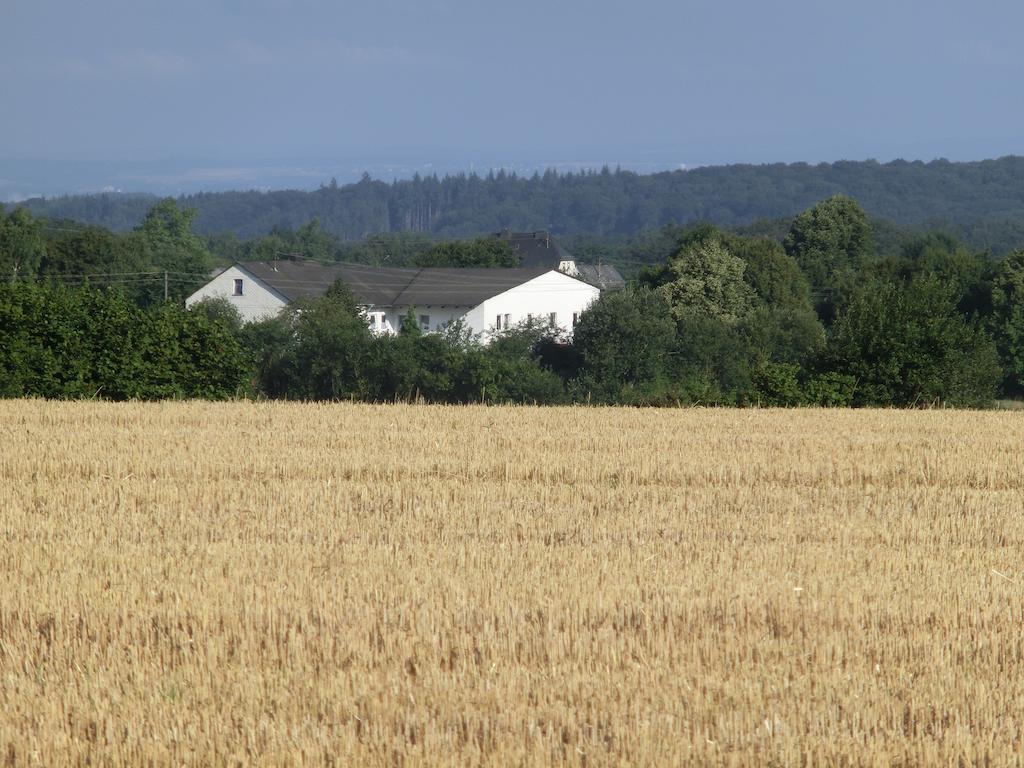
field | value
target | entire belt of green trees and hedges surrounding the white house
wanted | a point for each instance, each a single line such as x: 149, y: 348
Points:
x: 816, y: 314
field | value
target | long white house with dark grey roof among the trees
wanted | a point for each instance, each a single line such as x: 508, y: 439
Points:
x: 486, y: 300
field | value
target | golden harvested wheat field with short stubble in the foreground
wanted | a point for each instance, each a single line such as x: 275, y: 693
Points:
x: 190, y: 584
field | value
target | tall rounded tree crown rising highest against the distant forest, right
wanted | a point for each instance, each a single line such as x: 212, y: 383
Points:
x: 831, y: 242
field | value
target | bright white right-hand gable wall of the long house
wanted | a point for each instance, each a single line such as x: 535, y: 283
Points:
x: 551, y: 292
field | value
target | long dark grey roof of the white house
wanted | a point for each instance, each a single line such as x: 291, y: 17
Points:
x: 392, y: 286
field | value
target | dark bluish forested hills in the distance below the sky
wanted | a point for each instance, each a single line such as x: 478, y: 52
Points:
x: 983, y: 203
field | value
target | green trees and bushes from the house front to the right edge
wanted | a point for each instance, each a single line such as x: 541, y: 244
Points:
x: 726, y: 319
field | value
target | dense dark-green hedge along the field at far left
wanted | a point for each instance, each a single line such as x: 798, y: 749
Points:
x: 60, y: 344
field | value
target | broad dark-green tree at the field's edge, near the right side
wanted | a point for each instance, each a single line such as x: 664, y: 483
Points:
x: 910, y: 346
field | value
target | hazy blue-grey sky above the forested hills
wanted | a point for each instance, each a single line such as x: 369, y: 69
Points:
x: 217, y: 94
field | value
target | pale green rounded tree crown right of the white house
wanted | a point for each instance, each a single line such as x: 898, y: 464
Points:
x: 706, y: 280
